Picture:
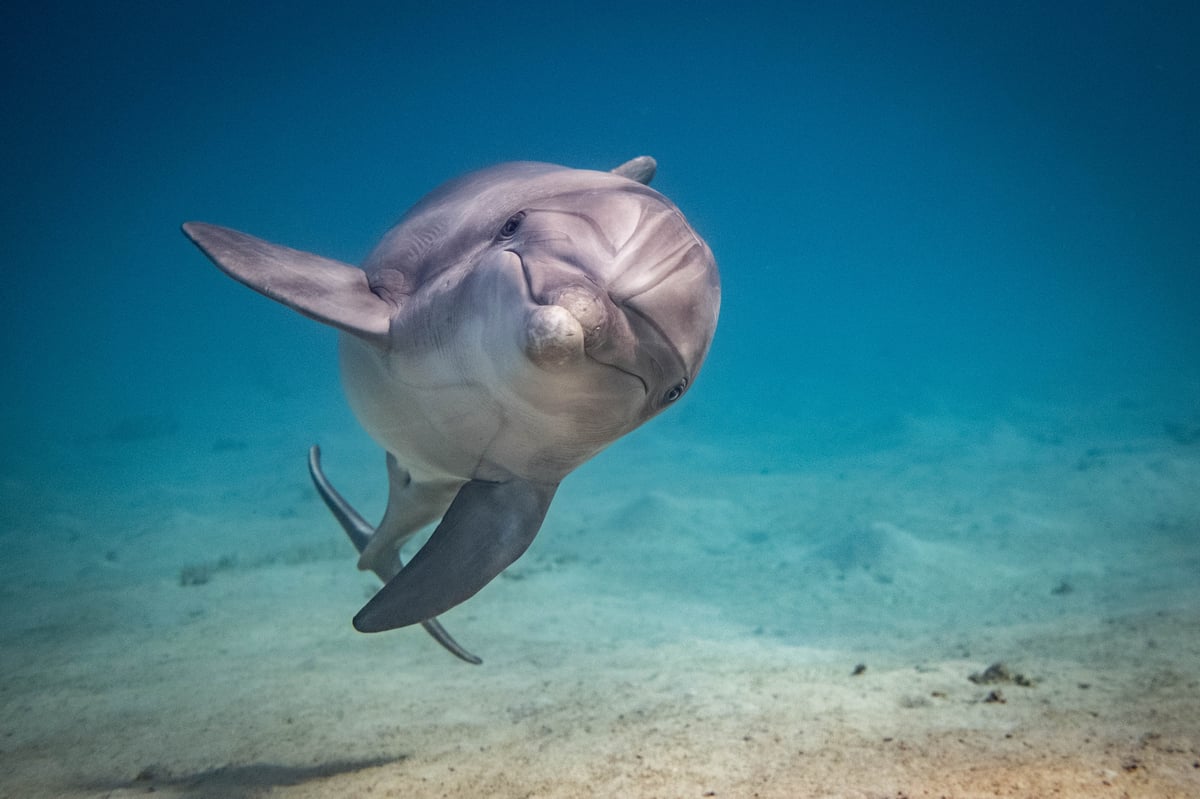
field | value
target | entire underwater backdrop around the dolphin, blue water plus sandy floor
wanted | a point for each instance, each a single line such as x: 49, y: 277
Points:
x: 928, y: 524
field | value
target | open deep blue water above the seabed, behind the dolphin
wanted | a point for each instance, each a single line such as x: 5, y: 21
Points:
x: 916, y: 207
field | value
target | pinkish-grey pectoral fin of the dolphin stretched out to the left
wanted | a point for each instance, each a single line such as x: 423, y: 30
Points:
x: 321, y: 289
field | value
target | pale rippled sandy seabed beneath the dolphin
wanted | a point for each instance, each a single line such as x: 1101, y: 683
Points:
x: 700, y: 617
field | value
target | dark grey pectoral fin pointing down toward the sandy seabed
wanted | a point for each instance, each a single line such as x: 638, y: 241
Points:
x: 488, y: 527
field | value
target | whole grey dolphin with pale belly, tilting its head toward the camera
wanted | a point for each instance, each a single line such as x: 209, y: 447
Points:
x: 514, y: 323
